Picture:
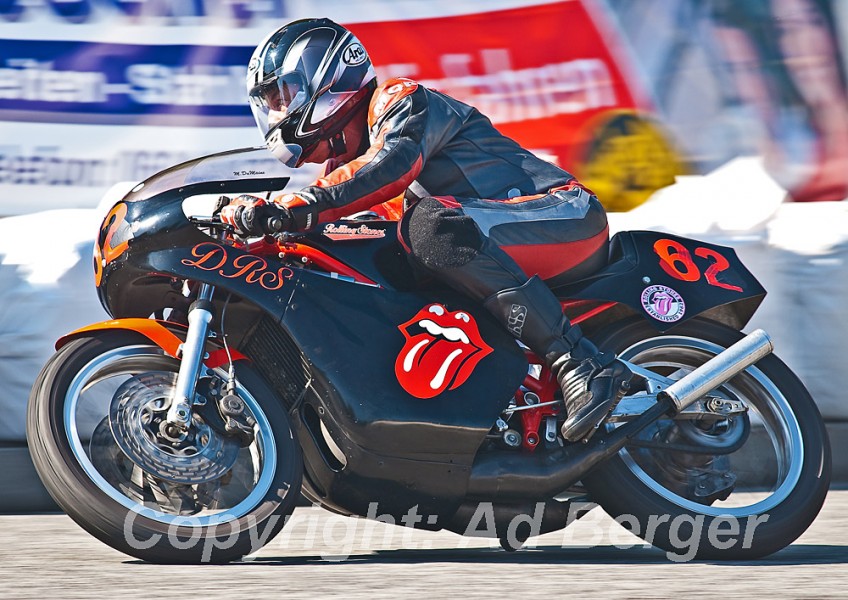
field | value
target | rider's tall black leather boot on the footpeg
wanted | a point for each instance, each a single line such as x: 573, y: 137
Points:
x: 592, y: 381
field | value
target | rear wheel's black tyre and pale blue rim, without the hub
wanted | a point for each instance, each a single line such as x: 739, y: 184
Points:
x: 790, y: 424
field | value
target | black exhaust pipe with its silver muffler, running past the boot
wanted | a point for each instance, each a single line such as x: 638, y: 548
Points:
x: 510, y: 477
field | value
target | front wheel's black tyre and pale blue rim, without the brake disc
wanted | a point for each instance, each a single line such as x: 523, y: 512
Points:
x: 91, y: 479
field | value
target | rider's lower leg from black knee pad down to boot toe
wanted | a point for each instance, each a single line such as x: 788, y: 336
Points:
x: 448, y: 244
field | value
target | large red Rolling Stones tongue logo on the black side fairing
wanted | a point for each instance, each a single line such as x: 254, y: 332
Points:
x: 441, y: 351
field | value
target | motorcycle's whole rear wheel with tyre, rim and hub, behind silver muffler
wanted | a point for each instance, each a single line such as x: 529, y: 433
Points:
x: 735, y: 488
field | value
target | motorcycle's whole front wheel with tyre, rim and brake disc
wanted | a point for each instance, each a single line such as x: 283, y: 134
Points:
x: 98, y: 438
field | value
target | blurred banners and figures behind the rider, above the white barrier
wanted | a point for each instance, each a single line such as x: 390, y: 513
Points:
x: 624, y: 93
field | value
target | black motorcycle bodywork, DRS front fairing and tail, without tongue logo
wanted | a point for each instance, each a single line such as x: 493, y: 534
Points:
x: 279, y: 298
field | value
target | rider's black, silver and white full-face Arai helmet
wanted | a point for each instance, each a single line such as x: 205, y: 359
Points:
x: 309, y: 78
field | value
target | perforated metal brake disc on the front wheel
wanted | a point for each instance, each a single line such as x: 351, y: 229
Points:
x: 137, y: 417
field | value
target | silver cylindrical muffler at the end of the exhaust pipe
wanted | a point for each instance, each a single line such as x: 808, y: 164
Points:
x: 718, y: 370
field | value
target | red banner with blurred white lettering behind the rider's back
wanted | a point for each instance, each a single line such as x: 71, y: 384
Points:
x: 540, y: 73
